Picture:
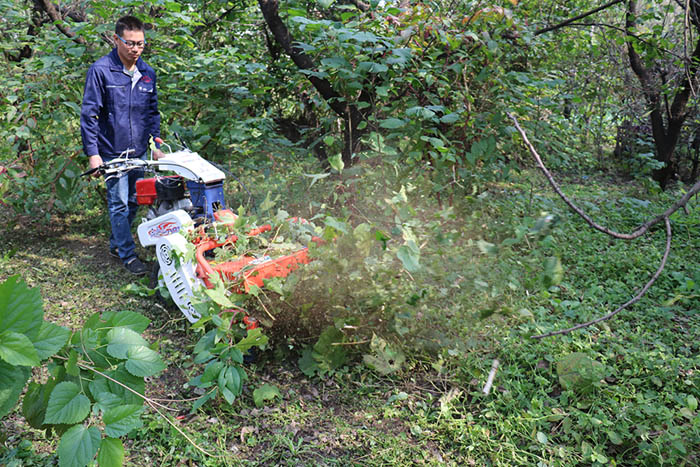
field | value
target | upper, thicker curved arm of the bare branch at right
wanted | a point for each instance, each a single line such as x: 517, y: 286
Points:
x: 641, y: 230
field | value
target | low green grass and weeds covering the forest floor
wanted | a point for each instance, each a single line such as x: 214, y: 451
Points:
x: 469, y: 304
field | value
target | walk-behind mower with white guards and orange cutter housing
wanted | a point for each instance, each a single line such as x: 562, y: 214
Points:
x: 192, y: 230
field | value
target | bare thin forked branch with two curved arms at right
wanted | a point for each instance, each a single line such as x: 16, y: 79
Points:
x: 636, y: 234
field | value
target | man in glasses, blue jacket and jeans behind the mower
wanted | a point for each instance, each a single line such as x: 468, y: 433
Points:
x: 120, y: 113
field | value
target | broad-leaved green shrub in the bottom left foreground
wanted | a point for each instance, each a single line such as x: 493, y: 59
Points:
x: 98, y: 370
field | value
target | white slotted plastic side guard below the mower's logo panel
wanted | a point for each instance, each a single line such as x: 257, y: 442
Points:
x: 179, y: 277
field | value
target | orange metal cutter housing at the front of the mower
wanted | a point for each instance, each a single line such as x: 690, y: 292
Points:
x: 256, y: 270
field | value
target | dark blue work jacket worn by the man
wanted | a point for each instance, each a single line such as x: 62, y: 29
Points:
x: 116, y: 116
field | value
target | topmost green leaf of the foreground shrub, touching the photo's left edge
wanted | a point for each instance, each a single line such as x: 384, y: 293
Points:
x: 21, y: 309
